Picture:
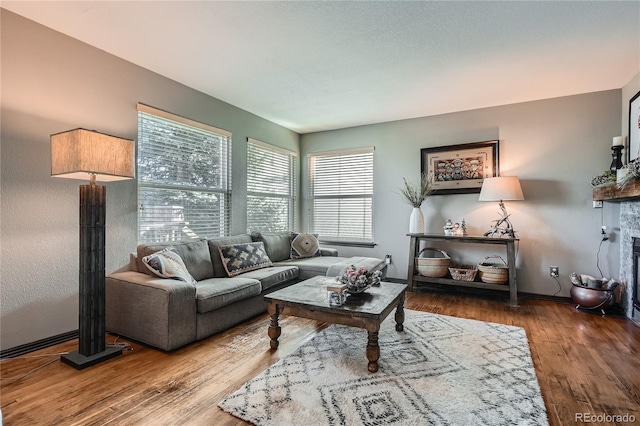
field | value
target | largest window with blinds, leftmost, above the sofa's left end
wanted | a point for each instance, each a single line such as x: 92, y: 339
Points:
x: 184, y: 186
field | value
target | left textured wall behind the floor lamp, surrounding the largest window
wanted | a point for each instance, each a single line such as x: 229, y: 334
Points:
x: 52, y: 83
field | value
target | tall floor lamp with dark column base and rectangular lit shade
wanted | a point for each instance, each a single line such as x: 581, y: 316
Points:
x: 85, y: 154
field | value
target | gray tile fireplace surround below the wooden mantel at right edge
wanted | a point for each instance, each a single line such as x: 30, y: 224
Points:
x: 629, y: 228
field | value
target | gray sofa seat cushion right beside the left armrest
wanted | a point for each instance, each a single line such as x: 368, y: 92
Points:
x: 217, y: 292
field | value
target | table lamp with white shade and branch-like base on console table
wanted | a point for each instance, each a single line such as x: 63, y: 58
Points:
x: 502, y: 188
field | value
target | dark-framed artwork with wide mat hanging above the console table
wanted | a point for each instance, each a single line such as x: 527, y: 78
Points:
x: 460, y: 169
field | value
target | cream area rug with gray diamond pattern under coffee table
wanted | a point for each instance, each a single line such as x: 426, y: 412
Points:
x: 439, y: 371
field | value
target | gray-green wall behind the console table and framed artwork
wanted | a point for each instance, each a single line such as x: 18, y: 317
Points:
x: 555, y: 146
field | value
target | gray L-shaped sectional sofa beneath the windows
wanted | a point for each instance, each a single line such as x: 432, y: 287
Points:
x: 168, y: 313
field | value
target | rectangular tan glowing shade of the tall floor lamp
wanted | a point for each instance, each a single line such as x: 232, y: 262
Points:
x: 79, y: 153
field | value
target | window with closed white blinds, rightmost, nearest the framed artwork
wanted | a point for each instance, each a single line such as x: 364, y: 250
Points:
x: 341, y: 191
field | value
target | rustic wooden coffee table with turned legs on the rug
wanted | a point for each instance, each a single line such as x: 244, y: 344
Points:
x: 308, y: 299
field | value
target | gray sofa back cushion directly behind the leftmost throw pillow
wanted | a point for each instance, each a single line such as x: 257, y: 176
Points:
x: 195, y: 255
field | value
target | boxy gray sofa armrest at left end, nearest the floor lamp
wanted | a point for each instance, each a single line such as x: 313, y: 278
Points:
x: 156, y: 311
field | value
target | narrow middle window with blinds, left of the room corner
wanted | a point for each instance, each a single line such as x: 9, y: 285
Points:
x: 271, y: 188
